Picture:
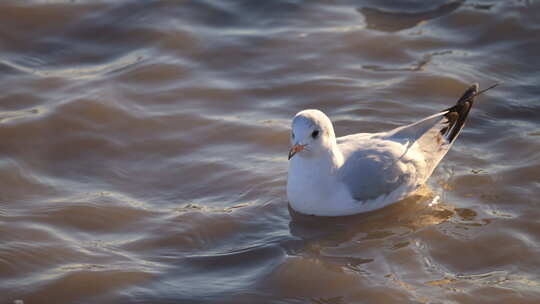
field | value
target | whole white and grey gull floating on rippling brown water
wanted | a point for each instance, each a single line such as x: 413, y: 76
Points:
x: 363, y: 172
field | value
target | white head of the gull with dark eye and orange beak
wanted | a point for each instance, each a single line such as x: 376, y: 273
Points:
x: 312, y: 134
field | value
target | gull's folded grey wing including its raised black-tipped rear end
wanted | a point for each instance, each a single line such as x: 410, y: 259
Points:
x: 378, y: 164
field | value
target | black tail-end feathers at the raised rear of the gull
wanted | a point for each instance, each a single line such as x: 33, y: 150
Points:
x: 457, y: 114
